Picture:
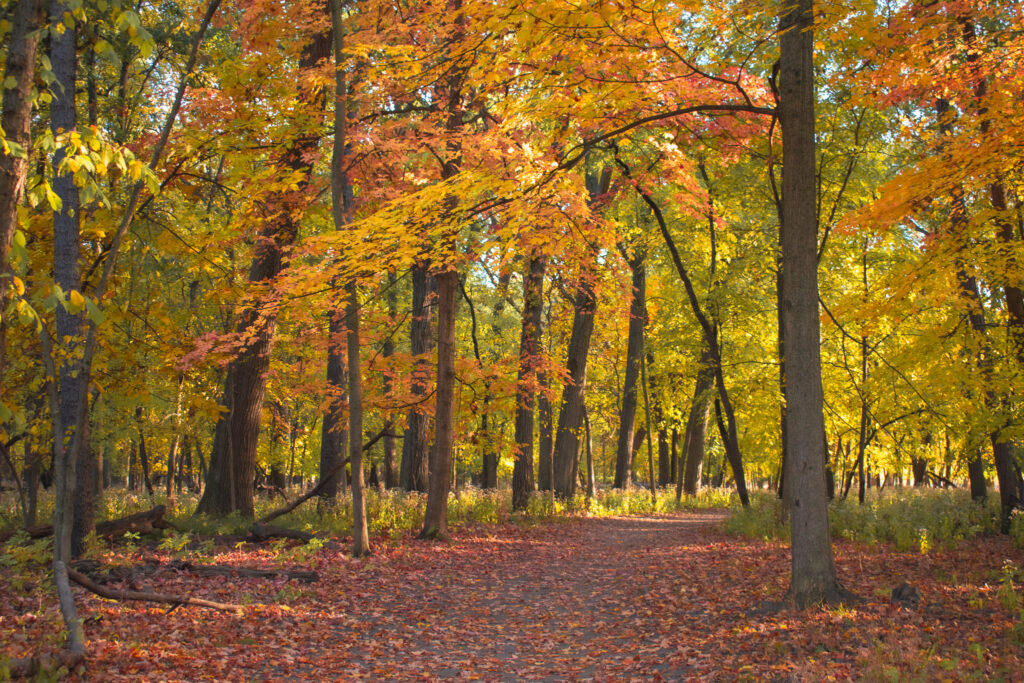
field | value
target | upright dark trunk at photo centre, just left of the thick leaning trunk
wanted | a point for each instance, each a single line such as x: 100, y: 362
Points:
x: 530, y: 350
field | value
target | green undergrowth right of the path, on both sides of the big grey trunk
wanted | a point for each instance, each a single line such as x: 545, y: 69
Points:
x: 910, y: 519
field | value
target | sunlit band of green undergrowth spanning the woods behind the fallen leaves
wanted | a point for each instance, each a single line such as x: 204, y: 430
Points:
x: 910, y: 519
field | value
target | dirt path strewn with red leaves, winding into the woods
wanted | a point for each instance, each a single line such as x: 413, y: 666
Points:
x: 576, y: 604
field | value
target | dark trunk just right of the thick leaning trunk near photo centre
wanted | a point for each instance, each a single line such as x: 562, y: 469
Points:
x: 634, y: 353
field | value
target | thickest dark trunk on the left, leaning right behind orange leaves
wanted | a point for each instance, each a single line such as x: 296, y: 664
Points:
x: 233, y: 459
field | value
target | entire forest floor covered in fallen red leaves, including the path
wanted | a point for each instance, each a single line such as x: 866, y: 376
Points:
x: 611, y: 600
